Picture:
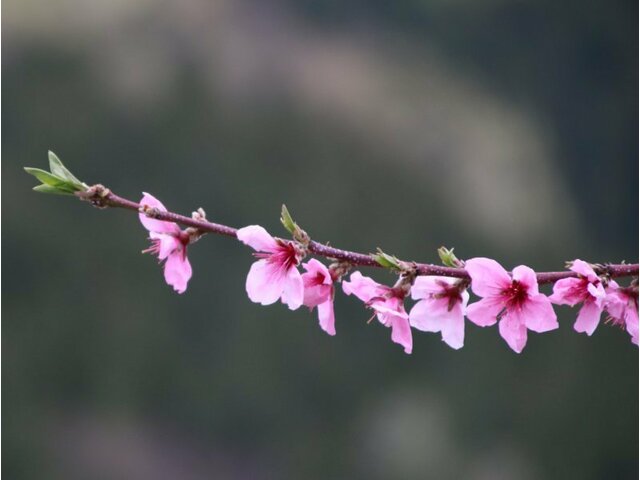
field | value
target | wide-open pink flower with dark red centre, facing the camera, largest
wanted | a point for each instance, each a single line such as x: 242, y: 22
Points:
x: 515, y: 301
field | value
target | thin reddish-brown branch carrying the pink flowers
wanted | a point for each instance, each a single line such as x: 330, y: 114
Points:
x: 102, y: 197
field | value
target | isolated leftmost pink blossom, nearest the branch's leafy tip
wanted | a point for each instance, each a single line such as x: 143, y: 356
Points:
x: 169, y: 243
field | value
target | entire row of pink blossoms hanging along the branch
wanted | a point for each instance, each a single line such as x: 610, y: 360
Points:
x: 510, y: 299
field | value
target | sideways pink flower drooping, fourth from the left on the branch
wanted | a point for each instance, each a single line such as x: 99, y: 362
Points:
x: 387, y: 302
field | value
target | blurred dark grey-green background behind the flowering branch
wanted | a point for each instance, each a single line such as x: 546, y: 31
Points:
x: 501, y: 128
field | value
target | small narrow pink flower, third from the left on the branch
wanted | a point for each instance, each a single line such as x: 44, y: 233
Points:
x: 318, y: 292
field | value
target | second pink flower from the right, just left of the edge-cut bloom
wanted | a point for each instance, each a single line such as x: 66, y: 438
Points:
x: 588, y: 289
